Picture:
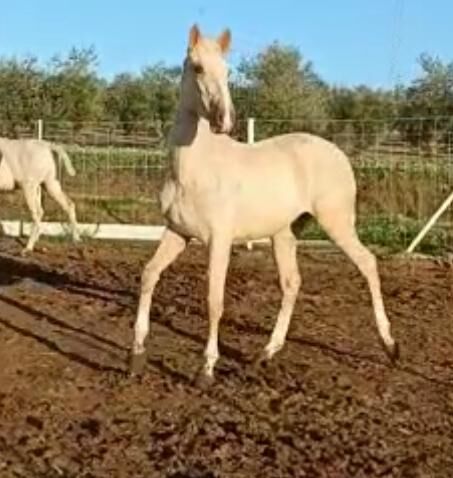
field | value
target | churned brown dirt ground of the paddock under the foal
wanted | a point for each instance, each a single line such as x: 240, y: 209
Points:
x: 328, y: 405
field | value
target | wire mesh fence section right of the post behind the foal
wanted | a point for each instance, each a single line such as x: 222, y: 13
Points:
x: 404, y: 171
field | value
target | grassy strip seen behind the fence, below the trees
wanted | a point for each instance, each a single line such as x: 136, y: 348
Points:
x: 396, y: 195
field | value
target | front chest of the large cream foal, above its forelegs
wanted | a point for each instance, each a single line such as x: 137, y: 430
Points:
x: 179, y: 207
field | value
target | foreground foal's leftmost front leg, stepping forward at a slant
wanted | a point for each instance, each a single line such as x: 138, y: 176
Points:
x: 171, y: 245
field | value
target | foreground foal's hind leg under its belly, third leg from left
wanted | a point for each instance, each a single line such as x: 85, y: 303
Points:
x: 284, y: 246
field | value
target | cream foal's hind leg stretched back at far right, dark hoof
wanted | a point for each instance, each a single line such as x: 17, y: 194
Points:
x: 340, y: 225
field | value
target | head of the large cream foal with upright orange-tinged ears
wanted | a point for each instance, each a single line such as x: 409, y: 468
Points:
x: 205, y: 81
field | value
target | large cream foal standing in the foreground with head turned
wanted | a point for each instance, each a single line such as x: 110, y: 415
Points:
x: 220, y: 190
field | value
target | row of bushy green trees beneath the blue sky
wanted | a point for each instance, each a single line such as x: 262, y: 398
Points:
x: 278, y: 86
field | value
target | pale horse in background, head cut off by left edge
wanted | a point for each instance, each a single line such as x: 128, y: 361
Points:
x: 29, y: 163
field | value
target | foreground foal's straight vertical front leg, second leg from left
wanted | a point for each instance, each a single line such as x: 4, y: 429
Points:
x: 219, y: 257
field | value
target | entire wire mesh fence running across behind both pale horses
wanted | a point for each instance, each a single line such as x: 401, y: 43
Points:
x: 403, y: 167
